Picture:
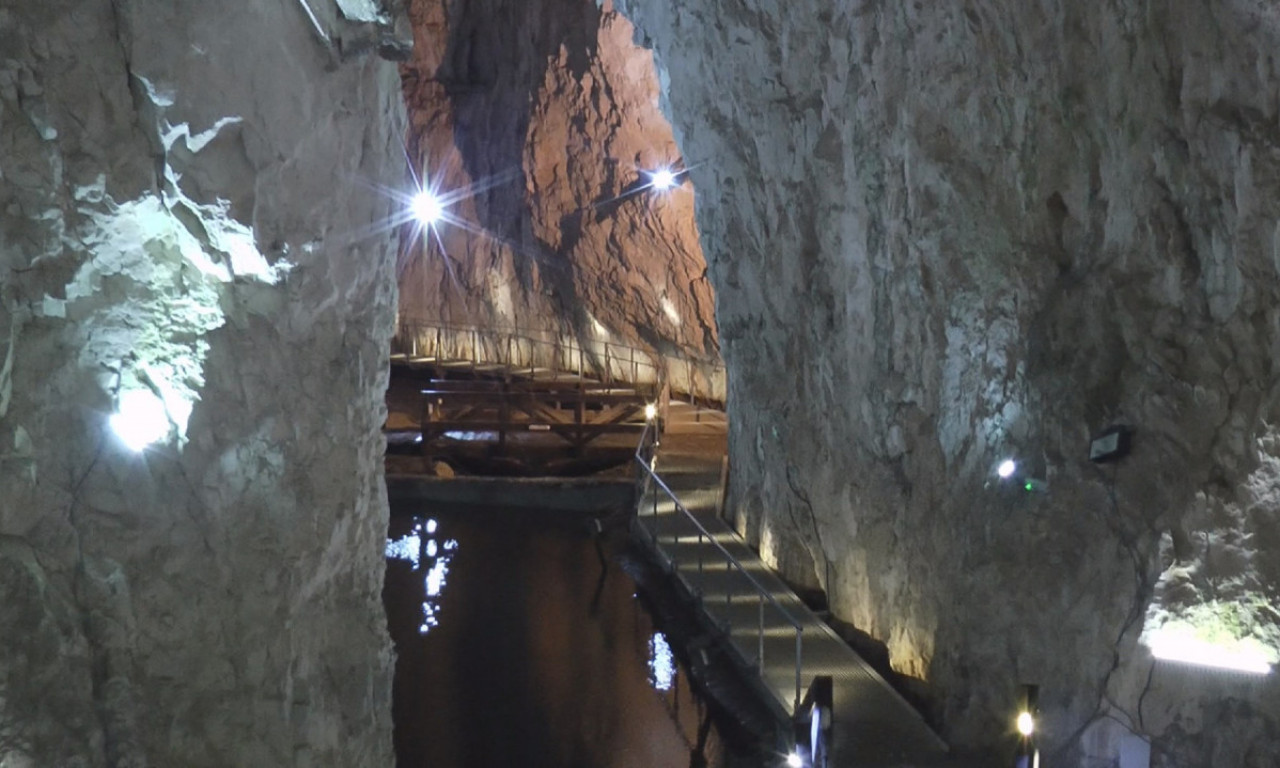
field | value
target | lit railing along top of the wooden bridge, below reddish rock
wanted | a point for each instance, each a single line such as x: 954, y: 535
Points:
x: 612, y: 362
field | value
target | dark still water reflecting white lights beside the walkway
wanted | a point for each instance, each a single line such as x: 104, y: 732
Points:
x: 518, y: 650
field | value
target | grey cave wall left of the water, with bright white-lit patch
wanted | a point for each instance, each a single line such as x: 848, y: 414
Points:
x: 188, y: 223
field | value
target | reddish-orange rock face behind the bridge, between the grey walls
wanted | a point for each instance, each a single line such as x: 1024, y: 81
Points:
x: 543, y: 132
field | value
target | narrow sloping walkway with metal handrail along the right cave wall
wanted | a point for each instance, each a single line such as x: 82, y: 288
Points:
x: 872, y: 725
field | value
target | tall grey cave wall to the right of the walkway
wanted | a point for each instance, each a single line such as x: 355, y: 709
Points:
x: 948, y: 234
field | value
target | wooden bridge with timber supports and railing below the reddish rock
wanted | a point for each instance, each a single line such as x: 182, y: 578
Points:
x: 497, y: 391
